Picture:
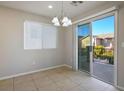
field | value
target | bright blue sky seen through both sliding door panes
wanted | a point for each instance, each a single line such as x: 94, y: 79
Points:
x: 102, y: 26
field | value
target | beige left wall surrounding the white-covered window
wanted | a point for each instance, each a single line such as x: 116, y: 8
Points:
x: 13, y: 58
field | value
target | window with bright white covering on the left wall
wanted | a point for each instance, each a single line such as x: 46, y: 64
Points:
x: 39, y: 35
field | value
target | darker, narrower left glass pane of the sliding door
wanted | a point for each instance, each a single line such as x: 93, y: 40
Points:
x: 84, y: 47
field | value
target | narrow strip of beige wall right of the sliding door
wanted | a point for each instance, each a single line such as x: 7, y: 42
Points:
x: 121, y: 49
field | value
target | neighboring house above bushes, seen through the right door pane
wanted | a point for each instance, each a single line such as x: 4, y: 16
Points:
x: 104, y: 39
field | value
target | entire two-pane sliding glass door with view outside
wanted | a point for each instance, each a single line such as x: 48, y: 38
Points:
x: 98, y: 59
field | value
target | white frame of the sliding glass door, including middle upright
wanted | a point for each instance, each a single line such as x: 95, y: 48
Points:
x: 90, y: 20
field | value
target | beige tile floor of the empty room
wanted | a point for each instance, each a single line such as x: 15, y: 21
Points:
x: 59, y: 79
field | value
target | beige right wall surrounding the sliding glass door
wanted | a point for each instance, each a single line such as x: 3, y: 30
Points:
x: 69, y: 39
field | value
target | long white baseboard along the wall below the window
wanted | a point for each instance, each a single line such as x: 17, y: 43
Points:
x: 30, y: 72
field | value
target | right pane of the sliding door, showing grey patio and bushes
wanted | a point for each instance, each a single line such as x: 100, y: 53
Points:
x: 103, y: 49
